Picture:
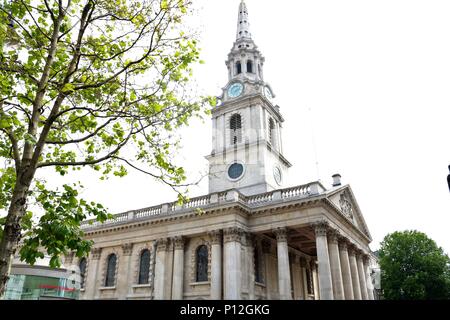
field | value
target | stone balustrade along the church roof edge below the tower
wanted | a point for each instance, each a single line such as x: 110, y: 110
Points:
x: 213, y: 199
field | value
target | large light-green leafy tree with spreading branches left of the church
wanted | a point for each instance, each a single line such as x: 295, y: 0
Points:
x: 94, y: 84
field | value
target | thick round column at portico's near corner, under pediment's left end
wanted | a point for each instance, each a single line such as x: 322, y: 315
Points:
x: 325, y: 281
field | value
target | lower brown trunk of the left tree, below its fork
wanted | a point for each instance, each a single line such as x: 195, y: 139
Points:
x: 12, y: 230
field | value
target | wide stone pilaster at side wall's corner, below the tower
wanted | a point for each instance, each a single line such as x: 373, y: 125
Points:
x: 232, y: 270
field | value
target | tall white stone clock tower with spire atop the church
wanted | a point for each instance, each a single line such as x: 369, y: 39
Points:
x: 247, y: 149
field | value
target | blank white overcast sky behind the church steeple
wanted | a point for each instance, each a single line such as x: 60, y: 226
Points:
x: 369, y: 81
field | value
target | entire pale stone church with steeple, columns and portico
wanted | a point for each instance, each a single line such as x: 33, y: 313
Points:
x: 250, y: 237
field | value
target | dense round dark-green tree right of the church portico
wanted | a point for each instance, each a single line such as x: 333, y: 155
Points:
x: 413, y: 267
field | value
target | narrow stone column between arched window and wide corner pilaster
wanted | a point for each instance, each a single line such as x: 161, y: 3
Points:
x: 216, y: 264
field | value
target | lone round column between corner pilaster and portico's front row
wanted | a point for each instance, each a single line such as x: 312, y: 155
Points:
x: 284, y: 274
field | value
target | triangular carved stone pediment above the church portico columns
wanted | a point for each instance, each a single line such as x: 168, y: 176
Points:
x: 344, y: 199
